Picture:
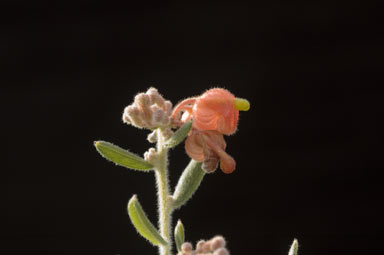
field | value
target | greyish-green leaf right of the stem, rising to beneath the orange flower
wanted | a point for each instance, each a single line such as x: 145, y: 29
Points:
x: 188, y: 183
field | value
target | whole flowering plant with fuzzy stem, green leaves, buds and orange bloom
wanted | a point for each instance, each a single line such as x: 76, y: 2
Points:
x: 202, y: 121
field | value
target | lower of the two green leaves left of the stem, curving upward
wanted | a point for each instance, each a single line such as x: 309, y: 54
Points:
x: 142, y: 224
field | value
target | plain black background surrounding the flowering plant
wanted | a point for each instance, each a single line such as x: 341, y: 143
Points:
x: 309, y: 152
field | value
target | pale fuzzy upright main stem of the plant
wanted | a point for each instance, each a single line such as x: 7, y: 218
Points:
x: 164, y: 201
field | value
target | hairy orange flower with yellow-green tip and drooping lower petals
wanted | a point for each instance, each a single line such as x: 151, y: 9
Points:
x: 214, y: 113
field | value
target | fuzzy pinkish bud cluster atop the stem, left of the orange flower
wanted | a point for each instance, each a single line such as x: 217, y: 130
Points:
x: 149, y: 110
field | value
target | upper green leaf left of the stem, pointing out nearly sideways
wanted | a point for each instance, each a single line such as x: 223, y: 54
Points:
x: 122, y: 157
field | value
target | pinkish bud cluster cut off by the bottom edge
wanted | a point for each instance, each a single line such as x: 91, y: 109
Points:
x: 215, y: 246
